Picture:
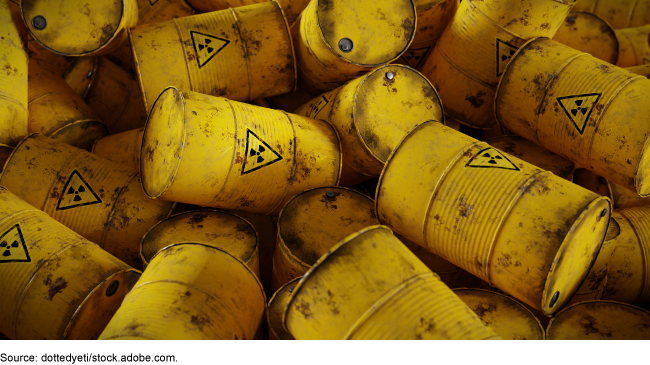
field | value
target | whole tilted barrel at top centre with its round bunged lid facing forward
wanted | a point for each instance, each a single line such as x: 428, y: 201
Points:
x: 337, y: 41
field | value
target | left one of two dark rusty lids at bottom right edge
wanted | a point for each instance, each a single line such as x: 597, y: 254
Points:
x: 503, y: 314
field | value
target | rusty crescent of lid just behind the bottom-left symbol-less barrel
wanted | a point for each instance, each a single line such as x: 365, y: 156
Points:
x: 223, y: 230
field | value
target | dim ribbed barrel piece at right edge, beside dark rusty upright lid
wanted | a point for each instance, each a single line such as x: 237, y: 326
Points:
x: 634, y: 47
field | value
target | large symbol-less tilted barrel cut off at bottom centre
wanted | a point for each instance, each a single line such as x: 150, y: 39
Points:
x: 370, y: 287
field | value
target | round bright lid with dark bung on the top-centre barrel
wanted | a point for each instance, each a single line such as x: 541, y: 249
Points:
x: 367, y: 33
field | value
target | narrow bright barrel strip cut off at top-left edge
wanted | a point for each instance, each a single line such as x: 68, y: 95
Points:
x: 13, y: 78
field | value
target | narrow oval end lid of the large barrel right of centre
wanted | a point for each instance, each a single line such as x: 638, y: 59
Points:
x: 576, y: 255
